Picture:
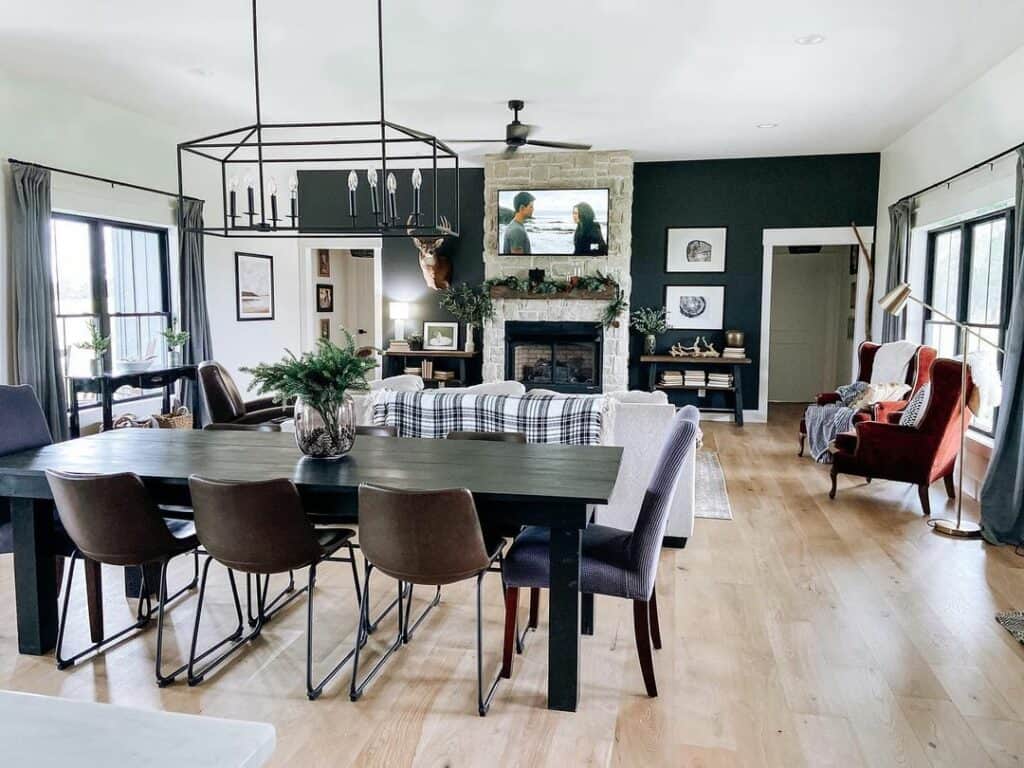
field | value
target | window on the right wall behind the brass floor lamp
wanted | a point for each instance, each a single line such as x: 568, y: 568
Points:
x: 969, y: 279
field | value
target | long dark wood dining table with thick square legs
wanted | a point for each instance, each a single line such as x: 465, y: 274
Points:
x: 520, y: 485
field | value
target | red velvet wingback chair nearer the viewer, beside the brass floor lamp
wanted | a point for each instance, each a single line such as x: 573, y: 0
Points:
x: 918, y: 455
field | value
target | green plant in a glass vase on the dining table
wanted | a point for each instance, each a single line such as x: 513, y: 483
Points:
x: 320, y: 382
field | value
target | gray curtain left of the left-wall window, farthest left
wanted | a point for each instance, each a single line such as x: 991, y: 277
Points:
x: 37, y: 351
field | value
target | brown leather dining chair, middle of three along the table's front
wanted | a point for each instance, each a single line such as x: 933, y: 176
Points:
x: 261, y: 529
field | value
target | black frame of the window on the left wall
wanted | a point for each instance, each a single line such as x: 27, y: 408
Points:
x: 101, y: 302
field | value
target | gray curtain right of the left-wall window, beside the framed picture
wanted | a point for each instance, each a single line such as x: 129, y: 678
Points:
x: 195, y: 318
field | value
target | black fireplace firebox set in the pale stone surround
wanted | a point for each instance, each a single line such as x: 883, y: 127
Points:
x: 565, y: 357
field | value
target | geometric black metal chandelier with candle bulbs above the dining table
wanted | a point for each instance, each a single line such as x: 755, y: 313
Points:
x: 368, y: 201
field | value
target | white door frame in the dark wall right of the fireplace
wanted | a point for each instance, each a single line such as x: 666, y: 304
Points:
x: 822, y: 236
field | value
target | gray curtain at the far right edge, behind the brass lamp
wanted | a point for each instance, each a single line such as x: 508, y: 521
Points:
x: 1003, y: 492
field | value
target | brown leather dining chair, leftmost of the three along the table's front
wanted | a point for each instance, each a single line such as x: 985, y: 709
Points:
x: 113, y: 522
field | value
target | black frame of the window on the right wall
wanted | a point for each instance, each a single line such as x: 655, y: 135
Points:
x: 966, y: 230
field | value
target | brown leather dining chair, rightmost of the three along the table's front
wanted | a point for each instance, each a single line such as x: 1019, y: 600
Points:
x: 431, y: 538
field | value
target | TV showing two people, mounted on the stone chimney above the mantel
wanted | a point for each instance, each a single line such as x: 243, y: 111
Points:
x: 553, y: 223
